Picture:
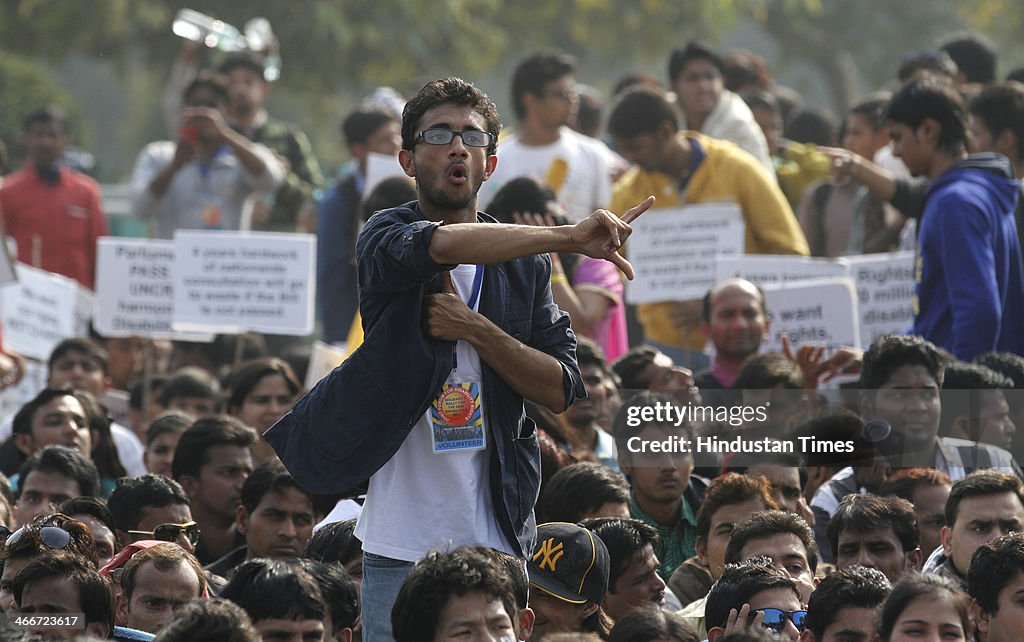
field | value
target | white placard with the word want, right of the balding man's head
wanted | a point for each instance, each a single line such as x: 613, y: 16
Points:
x: 821, y: 311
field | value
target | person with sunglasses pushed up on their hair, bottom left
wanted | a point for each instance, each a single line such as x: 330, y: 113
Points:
x: 53, y: 533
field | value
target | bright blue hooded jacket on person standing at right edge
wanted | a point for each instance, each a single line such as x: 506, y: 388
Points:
x: 970, y: 276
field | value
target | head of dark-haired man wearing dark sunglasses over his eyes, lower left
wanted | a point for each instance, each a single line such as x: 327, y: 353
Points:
x: 153, y: 507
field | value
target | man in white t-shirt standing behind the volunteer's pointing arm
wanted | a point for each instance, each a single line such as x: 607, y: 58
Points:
x: 577, y: 168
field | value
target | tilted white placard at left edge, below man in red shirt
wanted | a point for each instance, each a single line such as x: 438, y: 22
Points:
x: 41, y: 310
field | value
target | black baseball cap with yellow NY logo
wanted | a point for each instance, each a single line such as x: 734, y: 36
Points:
x: 570, y: 564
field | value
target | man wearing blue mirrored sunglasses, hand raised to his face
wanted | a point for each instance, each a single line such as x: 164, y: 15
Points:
x: 755, y: 594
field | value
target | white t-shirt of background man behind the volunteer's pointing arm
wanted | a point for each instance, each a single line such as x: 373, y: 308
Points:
x: 587, y: 183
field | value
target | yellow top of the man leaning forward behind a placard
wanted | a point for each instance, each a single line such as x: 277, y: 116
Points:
x: 728, y: 176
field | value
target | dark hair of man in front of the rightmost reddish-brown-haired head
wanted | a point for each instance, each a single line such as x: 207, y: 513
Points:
x: 864, y: 513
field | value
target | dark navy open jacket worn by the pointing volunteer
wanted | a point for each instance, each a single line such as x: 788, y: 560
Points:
x: 356, y: 419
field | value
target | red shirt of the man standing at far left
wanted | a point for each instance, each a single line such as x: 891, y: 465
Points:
x: 56, y: 227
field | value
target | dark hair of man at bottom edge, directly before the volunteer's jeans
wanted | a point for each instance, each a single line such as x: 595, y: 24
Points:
x: 439, y: 577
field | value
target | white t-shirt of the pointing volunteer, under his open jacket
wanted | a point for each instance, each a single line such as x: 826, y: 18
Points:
x: 420, y: 500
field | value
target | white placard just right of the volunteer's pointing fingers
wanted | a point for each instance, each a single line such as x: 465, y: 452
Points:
x: 674, y: 250
